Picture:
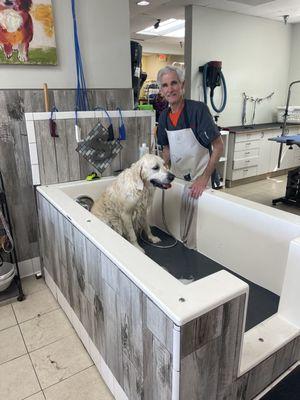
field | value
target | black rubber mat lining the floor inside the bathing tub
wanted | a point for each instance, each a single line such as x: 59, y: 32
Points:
x: 184, y: 263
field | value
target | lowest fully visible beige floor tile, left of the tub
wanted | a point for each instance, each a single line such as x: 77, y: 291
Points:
x: 60, y: 360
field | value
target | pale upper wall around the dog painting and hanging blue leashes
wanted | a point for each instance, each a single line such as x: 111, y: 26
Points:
x: 105, y: 47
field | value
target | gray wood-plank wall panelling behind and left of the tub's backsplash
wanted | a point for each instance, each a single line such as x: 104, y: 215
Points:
x: 15, y: 160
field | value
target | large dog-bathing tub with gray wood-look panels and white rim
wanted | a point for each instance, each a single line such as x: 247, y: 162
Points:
x: 150, y: 336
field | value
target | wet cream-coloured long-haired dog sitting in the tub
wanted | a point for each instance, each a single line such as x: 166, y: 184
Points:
x: 125, y: 204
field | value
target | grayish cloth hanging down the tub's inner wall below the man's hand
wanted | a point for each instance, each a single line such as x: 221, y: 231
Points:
x: 188, y: 219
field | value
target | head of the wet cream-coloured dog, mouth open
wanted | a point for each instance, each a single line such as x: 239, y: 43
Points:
x: 153, y: 172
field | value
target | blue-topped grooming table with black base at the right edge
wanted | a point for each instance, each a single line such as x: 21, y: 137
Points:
x: 292, y: 192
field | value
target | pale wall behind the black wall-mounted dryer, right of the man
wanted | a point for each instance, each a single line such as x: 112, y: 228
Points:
x: 255, y: 53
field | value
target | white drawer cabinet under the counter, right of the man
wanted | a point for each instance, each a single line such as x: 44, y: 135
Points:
x: 252, y: 153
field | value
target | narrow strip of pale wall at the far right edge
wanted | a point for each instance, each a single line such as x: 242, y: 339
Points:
x: 294, y: 74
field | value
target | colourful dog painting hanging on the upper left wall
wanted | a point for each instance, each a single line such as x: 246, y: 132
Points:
x: 27, y: 32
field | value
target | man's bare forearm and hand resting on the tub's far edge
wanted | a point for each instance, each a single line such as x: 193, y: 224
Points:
x: 199, y: 185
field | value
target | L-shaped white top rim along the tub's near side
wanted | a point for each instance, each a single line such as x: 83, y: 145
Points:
x: 162, y: 288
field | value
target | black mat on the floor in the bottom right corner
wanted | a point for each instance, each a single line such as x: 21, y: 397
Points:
x: 287, y: 389
